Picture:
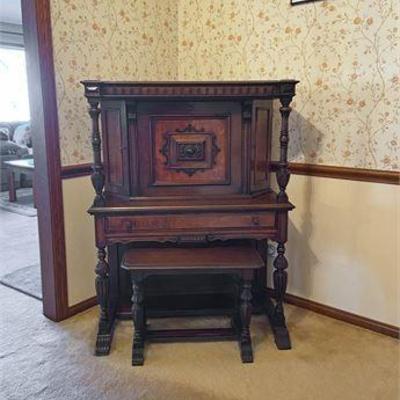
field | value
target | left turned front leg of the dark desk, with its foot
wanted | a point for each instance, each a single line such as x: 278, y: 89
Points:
x: 105, y: 329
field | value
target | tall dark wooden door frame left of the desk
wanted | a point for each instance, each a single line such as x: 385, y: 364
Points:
x: 48, y: 185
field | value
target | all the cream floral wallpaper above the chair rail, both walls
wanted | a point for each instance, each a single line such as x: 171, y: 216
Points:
x: 344, y: 52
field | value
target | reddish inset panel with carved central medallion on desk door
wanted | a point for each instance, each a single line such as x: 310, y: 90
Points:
x: 191, y: 151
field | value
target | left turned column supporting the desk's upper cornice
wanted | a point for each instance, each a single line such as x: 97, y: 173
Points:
x: 97, y: 176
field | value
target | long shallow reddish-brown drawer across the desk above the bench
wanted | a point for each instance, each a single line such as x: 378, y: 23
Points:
x: 187, y: 222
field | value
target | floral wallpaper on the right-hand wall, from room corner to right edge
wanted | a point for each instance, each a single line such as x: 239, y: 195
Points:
x: 345, y: 53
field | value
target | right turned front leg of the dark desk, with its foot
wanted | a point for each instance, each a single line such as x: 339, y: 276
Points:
x: 276, y: 312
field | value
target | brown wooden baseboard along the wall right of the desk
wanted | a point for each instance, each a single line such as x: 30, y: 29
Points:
x: 354, y: 319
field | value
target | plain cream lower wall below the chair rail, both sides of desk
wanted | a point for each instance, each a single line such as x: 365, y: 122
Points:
x: 342, y: 246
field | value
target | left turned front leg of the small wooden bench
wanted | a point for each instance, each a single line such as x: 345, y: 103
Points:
x: 139, y: 322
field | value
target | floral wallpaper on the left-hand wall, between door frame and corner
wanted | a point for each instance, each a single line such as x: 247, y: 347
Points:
x: 110, y: 40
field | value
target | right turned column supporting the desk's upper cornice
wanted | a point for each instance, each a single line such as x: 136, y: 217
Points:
x: 282, y: 173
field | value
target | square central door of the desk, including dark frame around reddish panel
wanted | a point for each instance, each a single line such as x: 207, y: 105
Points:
x: 189, y: 149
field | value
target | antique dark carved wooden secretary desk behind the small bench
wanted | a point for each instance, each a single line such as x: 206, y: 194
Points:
x: 187, y: 164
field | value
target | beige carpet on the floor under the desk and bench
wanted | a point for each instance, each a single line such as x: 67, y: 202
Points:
x: 43, y: 360
